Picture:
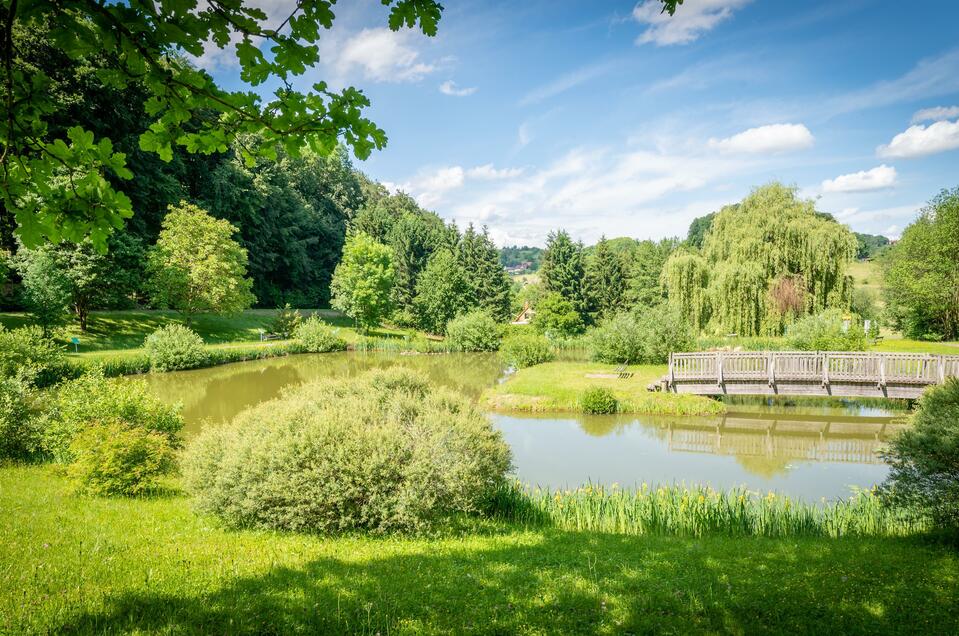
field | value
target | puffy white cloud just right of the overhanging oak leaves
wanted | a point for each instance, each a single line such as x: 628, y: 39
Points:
x: 383, y: 56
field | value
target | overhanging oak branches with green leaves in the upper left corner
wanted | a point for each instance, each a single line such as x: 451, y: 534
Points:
x: 63, y: 187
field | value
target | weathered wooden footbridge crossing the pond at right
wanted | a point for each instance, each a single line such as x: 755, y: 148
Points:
x: 822, y: 373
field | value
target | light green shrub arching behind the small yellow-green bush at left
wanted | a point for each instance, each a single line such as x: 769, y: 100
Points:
x: 93, y: 398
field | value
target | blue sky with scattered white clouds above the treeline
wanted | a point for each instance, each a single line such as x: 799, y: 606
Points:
x: 610, y: 118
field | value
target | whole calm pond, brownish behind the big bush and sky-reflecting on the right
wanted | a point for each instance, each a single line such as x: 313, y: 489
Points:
x: 808, y: 449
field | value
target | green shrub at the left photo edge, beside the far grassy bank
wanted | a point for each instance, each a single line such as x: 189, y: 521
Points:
x: 27, y: 355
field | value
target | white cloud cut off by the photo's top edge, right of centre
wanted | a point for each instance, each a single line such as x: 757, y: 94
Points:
x: 692, y: 19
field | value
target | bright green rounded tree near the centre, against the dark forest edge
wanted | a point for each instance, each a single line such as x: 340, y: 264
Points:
x: 363, y: 281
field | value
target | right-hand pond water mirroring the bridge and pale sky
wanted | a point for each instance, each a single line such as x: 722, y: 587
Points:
x: 807, y: 456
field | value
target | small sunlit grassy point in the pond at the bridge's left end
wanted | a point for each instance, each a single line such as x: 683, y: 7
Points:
x: 558, y: 386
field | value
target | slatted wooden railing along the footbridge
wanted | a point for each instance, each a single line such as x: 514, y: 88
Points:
x: 821, y: 366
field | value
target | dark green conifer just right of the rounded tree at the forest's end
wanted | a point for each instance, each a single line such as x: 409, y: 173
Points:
x: 488, y: 281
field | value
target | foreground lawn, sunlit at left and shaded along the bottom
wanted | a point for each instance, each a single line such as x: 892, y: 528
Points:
x: 151, y: 566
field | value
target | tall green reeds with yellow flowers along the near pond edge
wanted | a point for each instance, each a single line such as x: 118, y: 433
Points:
x: 698, y: 511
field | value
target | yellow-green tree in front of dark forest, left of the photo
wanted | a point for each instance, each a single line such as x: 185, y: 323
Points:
x: 197, y: 266
